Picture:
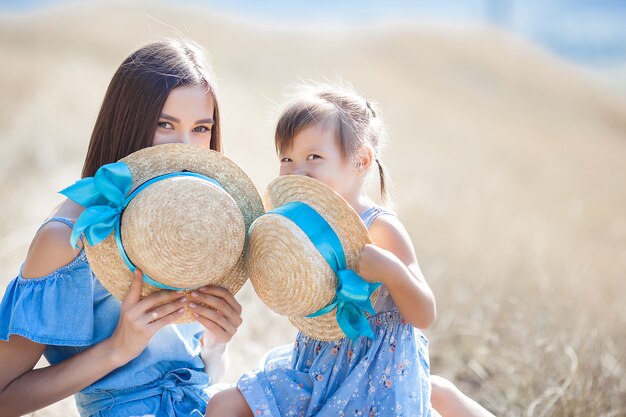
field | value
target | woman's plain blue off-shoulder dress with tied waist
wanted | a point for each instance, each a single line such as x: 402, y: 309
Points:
x: 69, y: 311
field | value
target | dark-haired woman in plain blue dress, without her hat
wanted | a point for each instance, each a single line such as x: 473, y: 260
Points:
x: 119, y: 359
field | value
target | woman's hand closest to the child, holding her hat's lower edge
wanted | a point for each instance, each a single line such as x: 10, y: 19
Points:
x: 218, y: 311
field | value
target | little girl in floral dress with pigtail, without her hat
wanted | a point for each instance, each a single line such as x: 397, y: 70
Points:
x: 335, y: 136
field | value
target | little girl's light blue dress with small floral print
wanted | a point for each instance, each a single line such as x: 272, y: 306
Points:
x: 386, y: 376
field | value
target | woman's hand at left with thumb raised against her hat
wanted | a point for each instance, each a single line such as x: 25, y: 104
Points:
x: 140, y: 319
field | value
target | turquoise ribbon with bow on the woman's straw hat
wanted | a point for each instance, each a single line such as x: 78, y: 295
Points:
x: 104, y: 197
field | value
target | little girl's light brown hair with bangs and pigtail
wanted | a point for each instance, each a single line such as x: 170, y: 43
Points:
x: 350, y: 116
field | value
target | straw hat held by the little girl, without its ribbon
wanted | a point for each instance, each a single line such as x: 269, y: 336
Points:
x: 284, y: 263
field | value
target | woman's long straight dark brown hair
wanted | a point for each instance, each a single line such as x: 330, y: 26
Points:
x: 136, y: 94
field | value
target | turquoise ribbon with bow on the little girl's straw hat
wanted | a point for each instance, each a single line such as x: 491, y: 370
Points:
x: 352, y: 296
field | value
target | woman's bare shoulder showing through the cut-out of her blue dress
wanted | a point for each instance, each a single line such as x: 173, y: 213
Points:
x: 49, y: 250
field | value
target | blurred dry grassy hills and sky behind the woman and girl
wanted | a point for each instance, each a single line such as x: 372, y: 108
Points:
x: 507, y: 127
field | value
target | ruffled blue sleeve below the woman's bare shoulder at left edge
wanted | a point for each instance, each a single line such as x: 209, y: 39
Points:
x: 57, y: 309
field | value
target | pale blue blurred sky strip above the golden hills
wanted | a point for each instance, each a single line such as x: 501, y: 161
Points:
x: 591, y: 32
